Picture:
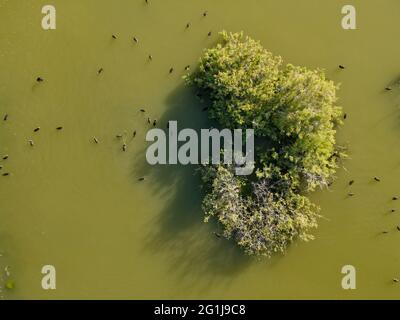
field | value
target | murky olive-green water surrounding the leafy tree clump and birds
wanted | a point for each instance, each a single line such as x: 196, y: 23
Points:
x: 79, y: 206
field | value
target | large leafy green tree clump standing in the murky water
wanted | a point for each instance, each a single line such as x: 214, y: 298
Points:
x: 294, y: 115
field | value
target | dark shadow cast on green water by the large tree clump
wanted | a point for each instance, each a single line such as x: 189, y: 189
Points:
x: 195, y: 255
